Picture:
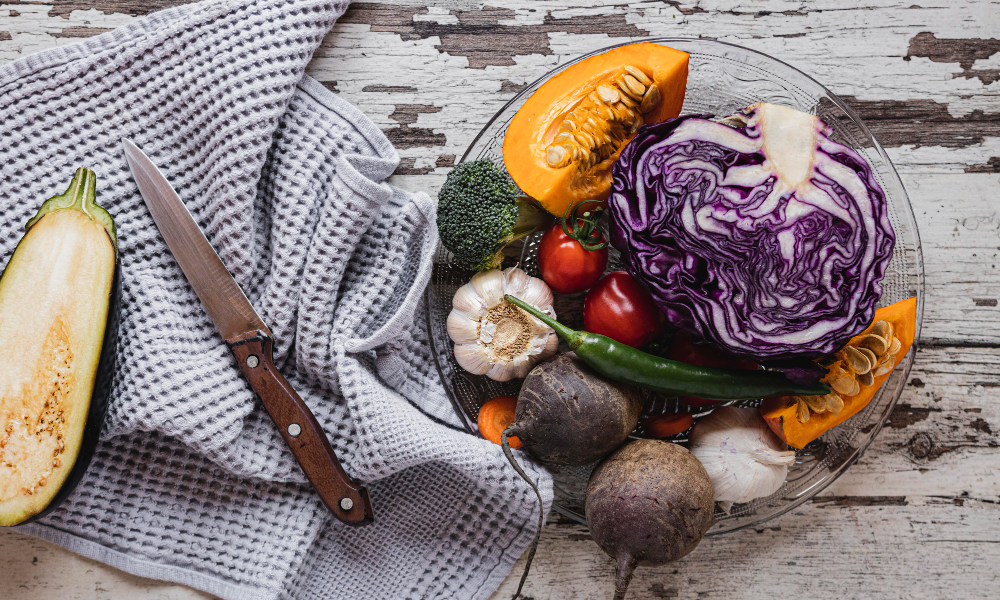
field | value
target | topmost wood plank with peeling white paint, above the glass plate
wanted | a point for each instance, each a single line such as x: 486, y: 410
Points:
x: 930, y: 95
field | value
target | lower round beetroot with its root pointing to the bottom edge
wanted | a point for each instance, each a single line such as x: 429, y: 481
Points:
x: 649, y: 503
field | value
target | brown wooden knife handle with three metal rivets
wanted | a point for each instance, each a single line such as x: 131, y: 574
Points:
x: 348, y: 501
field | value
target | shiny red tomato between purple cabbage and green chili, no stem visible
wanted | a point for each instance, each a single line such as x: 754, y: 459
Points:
x: 623, y: 310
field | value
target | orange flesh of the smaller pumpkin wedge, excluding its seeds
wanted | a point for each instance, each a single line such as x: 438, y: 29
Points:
x: 780, y: 413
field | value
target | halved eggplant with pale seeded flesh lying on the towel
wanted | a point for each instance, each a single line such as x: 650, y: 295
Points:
x: 59, y: 309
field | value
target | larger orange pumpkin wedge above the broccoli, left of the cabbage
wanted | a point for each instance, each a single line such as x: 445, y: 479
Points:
x: 571, y: 96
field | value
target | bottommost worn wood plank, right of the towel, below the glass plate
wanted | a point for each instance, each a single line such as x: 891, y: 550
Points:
x: 825, y: 550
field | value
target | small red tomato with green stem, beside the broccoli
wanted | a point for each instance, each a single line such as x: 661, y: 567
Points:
x: 566, y: 265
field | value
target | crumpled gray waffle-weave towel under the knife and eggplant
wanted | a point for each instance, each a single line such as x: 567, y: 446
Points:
x: 191, y: 482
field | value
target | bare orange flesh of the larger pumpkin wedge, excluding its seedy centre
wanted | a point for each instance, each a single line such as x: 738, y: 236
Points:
x: 538, y: 121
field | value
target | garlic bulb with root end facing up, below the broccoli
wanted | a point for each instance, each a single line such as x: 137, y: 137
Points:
x: 494, y: 337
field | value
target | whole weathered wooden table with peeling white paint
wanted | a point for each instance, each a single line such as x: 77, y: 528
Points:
x: 919, y: 515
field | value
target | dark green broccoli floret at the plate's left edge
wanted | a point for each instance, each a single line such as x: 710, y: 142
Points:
x: 480, y: 211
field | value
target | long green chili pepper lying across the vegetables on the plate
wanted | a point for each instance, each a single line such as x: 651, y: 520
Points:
x: 629, y: 365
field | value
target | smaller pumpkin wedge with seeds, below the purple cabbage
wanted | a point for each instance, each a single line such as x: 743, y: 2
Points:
x: 856, y: 374
